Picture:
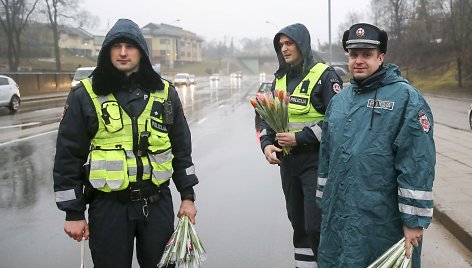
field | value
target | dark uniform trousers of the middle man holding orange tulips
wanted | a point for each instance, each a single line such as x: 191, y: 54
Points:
x: 299, y: 172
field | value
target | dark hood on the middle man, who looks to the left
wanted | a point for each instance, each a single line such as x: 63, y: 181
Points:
x: 300, y: 35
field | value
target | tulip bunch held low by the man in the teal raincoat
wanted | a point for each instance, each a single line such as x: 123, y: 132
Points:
x: 394, y: 257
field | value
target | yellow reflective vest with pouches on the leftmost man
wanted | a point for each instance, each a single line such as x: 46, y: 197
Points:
x: 113, y: 160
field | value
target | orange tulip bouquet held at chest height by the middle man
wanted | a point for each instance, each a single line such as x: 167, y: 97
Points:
x: 273, y: 108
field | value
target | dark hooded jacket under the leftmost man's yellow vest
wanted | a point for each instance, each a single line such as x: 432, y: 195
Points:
x: 80, y: 124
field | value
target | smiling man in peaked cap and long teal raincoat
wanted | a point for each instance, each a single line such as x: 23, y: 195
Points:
x: 377, y: 159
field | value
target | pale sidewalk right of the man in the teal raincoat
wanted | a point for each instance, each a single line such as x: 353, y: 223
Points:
x: 453, y: 183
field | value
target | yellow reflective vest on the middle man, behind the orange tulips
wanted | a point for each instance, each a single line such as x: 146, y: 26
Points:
x: 301, y: 112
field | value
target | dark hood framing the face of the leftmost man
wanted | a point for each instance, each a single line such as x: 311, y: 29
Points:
x: 107, y: 79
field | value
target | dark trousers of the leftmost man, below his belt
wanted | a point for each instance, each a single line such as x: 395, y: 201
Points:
x: 114, y: 225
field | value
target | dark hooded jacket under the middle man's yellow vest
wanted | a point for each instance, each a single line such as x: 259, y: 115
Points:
x: 329, y: 83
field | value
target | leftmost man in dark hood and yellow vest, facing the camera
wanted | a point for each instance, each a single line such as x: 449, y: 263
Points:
x: 122, y: 137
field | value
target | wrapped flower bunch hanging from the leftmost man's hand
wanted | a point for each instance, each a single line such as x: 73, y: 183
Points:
x: 184, y: 248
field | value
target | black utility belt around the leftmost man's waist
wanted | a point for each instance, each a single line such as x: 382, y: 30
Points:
x: 136, y: 191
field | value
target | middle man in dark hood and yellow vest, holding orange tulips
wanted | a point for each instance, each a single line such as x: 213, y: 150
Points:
x: 311, y: 85
